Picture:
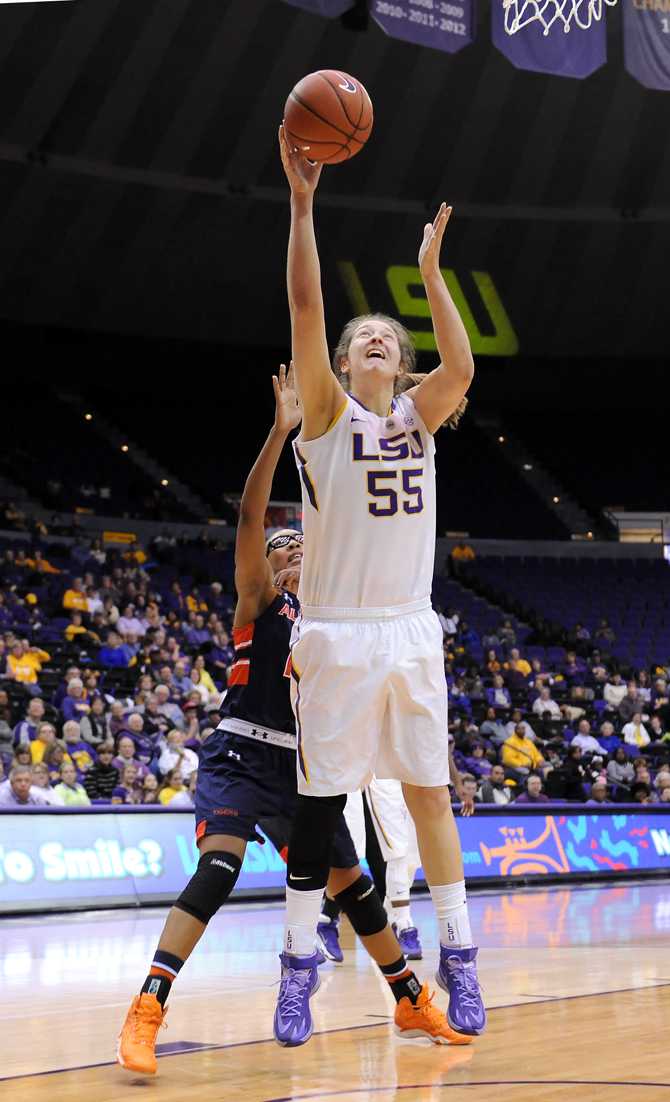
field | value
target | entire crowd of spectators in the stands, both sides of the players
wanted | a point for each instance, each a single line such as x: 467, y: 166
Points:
x: 113, y: 666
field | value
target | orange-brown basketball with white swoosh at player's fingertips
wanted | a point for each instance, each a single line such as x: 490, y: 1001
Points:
x: 329, y: 116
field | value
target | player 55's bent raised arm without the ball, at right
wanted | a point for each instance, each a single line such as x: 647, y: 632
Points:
x: 442, y: 391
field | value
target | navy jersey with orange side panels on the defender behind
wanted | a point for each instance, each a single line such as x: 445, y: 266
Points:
x: 260, y: 683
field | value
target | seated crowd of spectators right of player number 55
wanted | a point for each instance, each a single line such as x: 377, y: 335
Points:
x: 578, y: 729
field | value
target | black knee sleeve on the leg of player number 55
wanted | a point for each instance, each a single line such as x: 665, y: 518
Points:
x: 315, y: 826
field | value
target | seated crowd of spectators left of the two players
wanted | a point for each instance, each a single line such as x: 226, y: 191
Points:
x: 112, y: 674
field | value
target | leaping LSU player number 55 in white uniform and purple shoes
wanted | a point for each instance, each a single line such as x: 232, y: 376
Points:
x: 370, y: 692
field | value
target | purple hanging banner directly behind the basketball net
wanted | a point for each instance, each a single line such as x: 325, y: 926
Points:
x: 577, y: 55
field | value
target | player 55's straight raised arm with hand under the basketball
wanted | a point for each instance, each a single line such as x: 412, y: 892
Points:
x: 321, y: 395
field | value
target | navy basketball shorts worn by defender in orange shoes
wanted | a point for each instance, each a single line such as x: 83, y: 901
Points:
x: 243, y: 783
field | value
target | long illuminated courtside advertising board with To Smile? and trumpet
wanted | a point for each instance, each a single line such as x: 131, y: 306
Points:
x: 62, y: 860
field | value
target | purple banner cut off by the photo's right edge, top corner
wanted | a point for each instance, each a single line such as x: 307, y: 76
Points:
x: 647, y: 42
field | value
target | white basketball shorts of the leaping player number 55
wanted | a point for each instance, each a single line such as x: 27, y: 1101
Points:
x: 370, y: 696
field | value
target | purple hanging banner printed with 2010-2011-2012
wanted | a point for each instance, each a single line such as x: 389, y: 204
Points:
x: 441, y: 25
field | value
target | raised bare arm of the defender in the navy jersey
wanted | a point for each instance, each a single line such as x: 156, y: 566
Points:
x: 254, y: 579
